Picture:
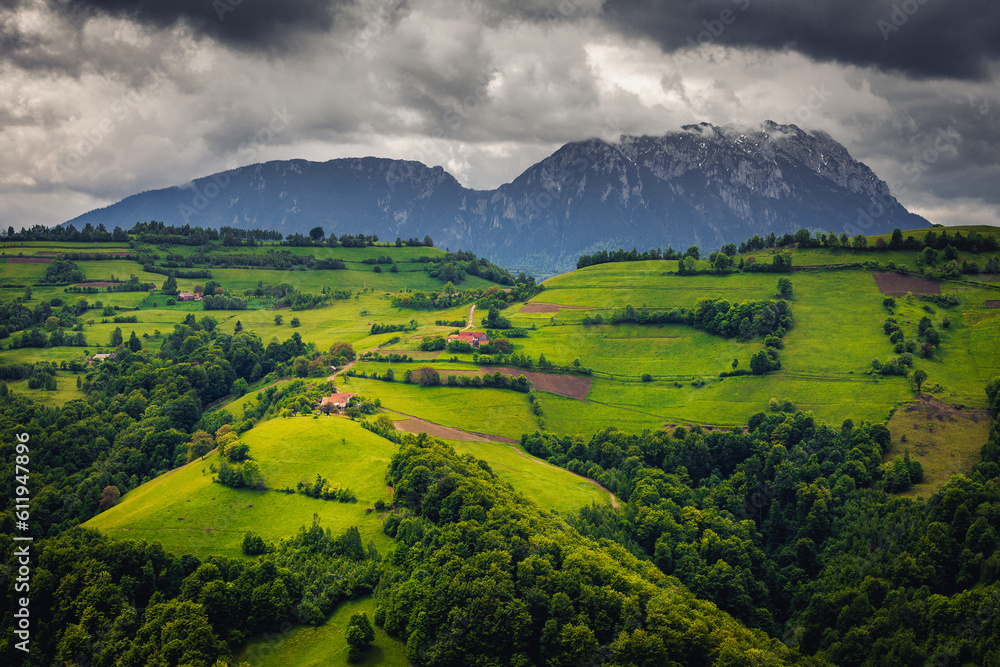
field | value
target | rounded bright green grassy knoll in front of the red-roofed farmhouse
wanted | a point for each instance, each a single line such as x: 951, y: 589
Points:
x: 189, y: 513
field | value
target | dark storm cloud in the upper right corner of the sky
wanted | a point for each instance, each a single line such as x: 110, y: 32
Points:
x: 920, y: 38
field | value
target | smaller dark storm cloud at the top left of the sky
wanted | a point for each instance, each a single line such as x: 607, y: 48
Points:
x: 251, y: 24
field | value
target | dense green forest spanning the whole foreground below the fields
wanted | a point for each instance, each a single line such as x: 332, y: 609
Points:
x: 774, y: 546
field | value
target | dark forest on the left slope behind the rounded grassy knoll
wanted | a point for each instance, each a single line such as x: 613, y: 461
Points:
x: 137, y: 420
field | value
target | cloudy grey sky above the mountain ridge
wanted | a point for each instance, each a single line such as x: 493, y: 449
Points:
x: 100, y: 99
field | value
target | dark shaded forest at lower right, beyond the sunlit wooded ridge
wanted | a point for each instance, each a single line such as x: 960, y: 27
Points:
x: 789, y: 528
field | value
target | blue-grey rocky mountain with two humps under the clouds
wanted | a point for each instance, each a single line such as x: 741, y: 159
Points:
x: 703, y: 185
